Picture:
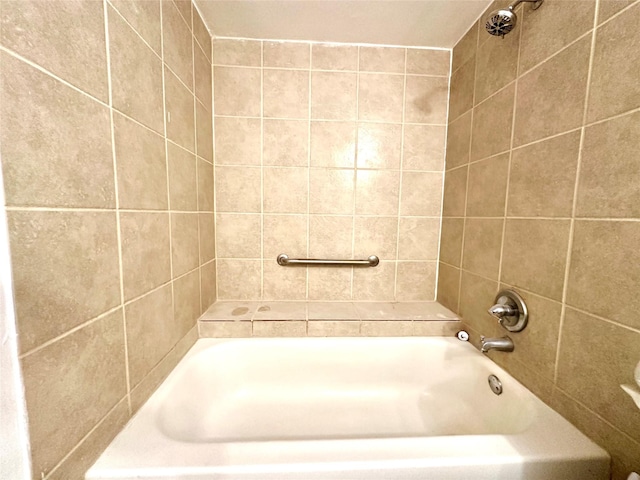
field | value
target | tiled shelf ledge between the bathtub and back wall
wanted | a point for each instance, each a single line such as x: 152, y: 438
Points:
x: 327, y: 319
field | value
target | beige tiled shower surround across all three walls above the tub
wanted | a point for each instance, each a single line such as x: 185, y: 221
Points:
x: 72, y: 225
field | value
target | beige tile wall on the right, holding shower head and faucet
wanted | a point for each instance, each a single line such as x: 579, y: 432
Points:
x: 541, y: 195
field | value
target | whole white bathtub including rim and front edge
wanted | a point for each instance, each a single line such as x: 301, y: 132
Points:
x: 345, y: 408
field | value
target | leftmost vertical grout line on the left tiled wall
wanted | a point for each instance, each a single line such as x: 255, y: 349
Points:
x: 117, y: 204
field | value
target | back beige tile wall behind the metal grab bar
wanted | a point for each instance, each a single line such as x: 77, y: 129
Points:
x: 328, y: 151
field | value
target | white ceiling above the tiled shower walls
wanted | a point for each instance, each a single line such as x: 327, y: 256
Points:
x: 425, y: 23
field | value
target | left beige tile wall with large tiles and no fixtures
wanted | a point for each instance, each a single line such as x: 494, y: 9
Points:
x: 106, y: 146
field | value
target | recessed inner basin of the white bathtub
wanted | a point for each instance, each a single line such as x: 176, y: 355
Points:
x: 301, y: 389
